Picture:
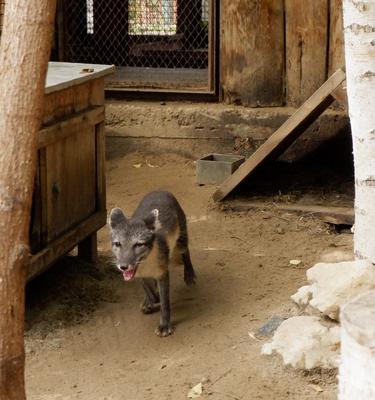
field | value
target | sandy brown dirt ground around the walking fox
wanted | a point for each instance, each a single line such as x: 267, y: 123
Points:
x: 86, y: 338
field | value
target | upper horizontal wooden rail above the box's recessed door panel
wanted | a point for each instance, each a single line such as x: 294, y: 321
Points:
x: 70, y: 126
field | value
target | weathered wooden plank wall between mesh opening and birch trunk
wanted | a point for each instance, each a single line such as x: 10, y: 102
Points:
x: 278, y: 52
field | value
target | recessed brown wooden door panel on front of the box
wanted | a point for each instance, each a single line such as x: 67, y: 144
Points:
x: 70, y: 181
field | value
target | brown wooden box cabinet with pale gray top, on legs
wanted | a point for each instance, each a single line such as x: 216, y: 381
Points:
x: 69, y: 195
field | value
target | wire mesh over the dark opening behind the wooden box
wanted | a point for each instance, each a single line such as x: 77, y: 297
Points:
x: 138, y: 33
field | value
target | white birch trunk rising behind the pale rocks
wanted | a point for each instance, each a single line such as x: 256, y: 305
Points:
x: 359, y: 31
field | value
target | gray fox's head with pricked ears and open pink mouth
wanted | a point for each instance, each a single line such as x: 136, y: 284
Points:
x: 132, y: 240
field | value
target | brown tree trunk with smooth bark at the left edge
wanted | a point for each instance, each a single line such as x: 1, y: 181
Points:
x: 24, y: 53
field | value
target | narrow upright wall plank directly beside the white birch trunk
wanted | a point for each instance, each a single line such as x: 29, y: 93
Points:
x: 336, y: 38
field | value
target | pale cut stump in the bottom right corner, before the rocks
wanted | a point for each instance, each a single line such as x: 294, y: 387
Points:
x: 357, y: 368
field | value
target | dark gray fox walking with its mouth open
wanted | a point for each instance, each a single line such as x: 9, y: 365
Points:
x: 143, y: 246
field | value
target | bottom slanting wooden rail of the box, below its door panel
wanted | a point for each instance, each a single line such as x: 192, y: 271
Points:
x: 42, y: 260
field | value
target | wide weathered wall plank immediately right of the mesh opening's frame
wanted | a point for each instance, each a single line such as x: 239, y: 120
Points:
x: 252, y: 52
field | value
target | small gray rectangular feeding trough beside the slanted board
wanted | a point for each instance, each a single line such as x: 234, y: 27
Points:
x: 213, y: 169
